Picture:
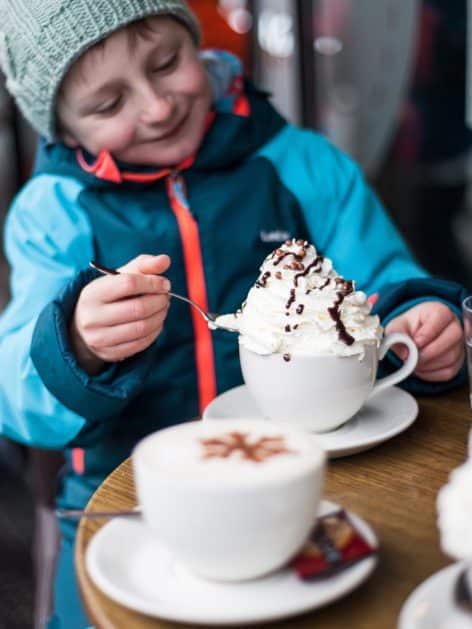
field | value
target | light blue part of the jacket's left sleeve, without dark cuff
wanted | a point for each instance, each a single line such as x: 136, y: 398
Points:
x: 46, y: 240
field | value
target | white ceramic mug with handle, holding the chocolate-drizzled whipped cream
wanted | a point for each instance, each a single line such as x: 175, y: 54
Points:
x: 320, y: 392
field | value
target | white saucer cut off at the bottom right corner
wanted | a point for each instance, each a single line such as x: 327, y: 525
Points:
x: 431, y: 604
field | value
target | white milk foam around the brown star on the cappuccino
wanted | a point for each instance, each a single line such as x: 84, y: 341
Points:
x: 179, y: 453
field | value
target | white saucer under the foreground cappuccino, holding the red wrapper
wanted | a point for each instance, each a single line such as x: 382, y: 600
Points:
x: 127, y: 562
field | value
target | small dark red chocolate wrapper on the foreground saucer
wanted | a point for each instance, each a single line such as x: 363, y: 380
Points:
x: 334, y: 544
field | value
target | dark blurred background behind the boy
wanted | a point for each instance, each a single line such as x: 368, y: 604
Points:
x: 386, y: 81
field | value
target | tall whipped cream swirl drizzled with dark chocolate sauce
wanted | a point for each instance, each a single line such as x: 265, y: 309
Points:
x: 300, y: 305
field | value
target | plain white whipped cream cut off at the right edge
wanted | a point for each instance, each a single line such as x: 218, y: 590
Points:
x: 454, y: 503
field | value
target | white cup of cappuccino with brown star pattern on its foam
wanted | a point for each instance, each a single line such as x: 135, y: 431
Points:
x: 230, y: 500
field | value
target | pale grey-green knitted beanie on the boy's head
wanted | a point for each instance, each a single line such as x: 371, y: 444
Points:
x: 40, y: 40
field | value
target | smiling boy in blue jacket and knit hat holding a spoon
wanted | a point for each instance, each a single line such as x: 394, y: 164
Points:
x: 151, y: 148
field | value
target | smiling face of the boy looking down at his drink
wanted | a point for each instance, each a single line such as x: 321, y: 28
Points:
x: 144, y: 99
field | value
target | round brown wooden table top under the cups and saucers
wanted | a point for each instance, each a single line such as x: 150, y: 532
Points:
x: 392, y: 486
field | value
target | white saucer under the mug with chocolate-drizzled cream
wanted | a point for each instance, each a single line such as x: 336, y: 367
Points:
x: 385, y: 415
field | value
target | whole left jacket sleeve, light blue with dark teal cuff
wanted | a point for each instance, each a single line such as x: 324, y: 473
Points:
x: 46, y: 399
